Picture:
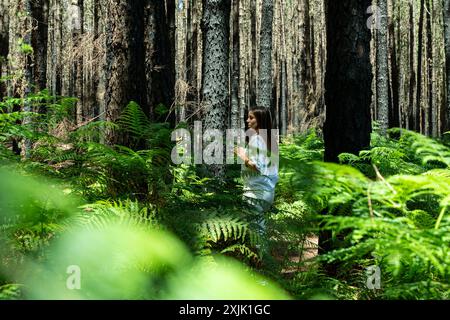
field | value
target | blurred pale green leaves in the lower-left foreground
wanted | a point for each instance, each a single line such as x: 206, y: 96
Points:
x: 120, y: 254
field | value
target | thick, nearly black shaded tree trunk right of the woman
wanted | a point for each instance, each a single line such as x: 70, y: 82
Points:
x: 348, y: 79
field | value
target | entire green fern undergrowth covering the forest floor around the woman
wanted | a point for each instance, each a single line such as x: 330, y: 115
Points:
x: 385, y: 207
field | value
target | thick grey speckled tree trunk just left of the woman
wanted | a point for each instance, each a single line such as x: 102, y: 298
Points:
x: 215, y: 28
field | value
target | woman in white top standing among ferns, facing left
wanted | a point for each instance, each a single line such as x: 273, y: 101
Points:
x: 260, y: 170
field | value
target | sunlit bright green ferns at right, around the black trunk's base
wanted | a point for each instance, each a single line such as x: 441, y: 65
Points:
x: 393, y: 216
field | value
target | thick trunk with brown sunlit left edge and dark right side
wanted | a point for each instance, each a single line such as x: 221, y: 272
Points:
x: 125, y: 70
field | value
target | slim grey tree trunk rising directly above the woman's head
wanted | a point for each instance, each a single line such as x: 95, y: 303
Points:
x: 264, y: 98
